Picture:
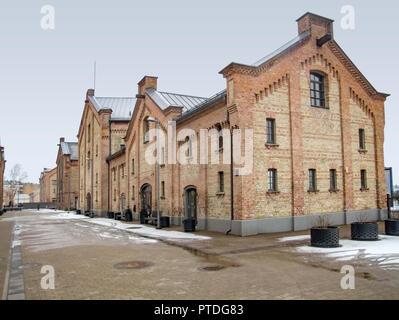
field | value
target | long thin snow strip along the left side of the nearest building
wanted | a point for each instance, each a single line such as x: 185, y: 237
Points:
x: 140, y: 230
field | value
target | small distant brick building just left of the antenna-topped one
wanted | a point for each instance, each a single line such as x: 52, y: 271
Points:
x: 67, y: 175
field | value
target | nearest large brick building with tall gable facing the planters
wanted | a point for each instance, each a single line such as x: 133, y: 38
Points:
x: 315, y: 126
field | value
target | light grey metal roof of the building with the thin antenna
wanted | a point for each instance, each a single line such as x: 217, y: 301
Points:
x: 122, y: 107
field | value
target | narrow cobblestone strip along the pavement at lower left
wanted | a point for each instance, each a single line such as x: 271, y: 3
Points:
x: 16, y: 288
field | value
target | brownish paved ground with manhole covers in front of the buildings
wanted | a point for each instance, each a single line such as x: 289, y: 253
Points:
x: 85, y: 255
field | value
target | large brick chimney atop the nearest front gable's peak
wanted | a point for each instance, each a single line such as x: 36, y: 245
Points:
x: 318, y: 26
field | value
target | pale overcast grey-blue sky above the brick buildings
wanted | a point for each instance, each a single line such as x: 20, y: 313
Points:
x: 44, y: 74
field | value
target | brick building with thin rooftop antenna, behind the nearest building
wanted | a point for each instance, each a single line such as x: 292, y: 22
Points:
x: 103, y: 125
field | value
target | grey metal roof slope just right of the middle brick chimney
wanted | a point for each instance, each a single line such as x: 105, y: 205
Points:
x: 167, y: 99
